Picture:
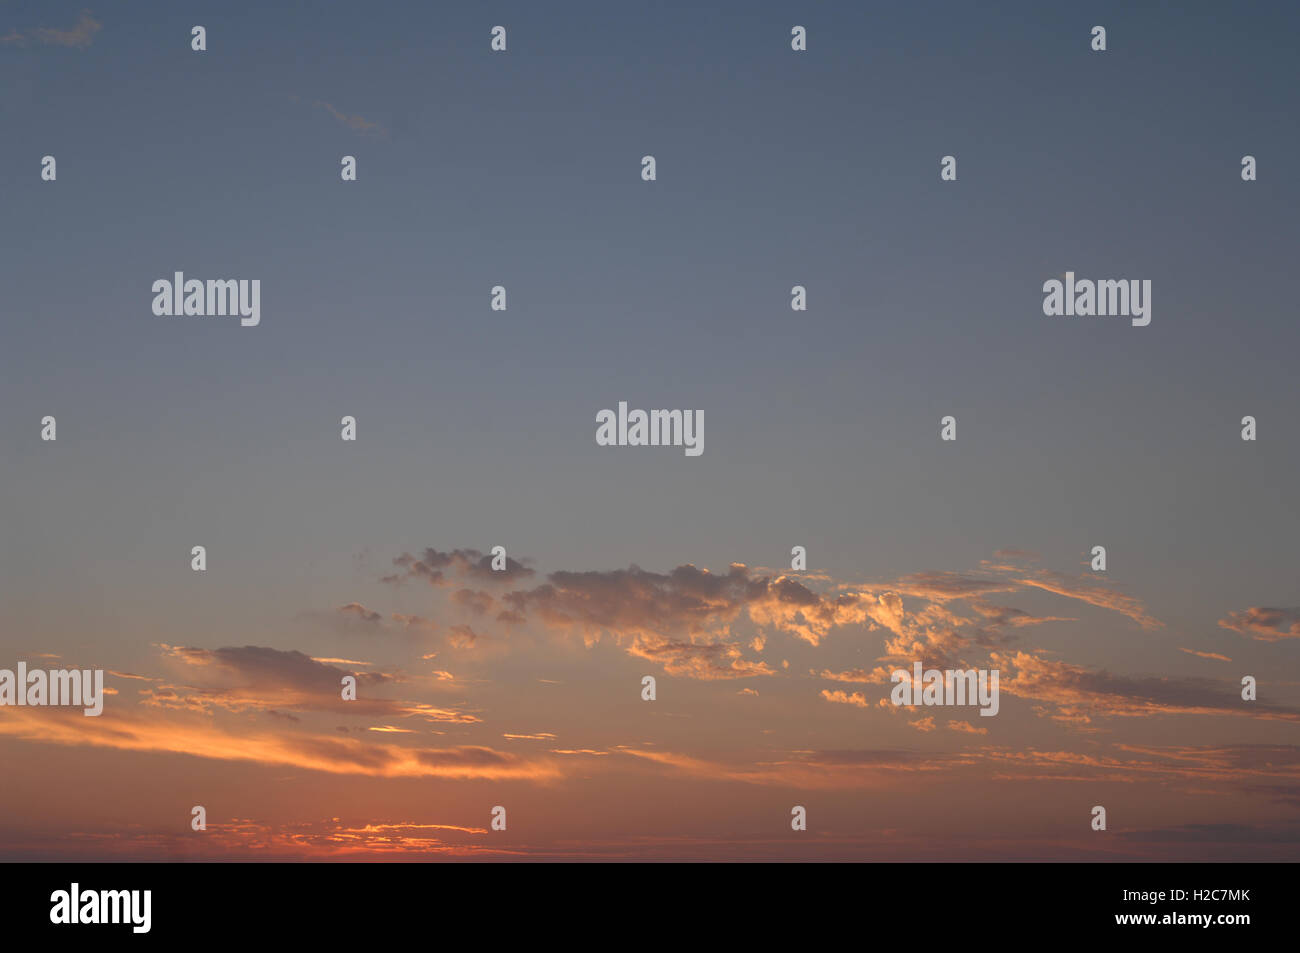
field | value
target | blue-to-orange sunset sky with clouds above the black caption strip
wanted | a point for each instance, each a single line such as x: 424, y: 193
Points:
x: 476, y: 428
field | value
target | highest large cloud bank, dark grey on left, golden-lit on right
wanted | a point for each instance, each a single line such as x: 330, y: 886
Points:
x: 701, y: 625
